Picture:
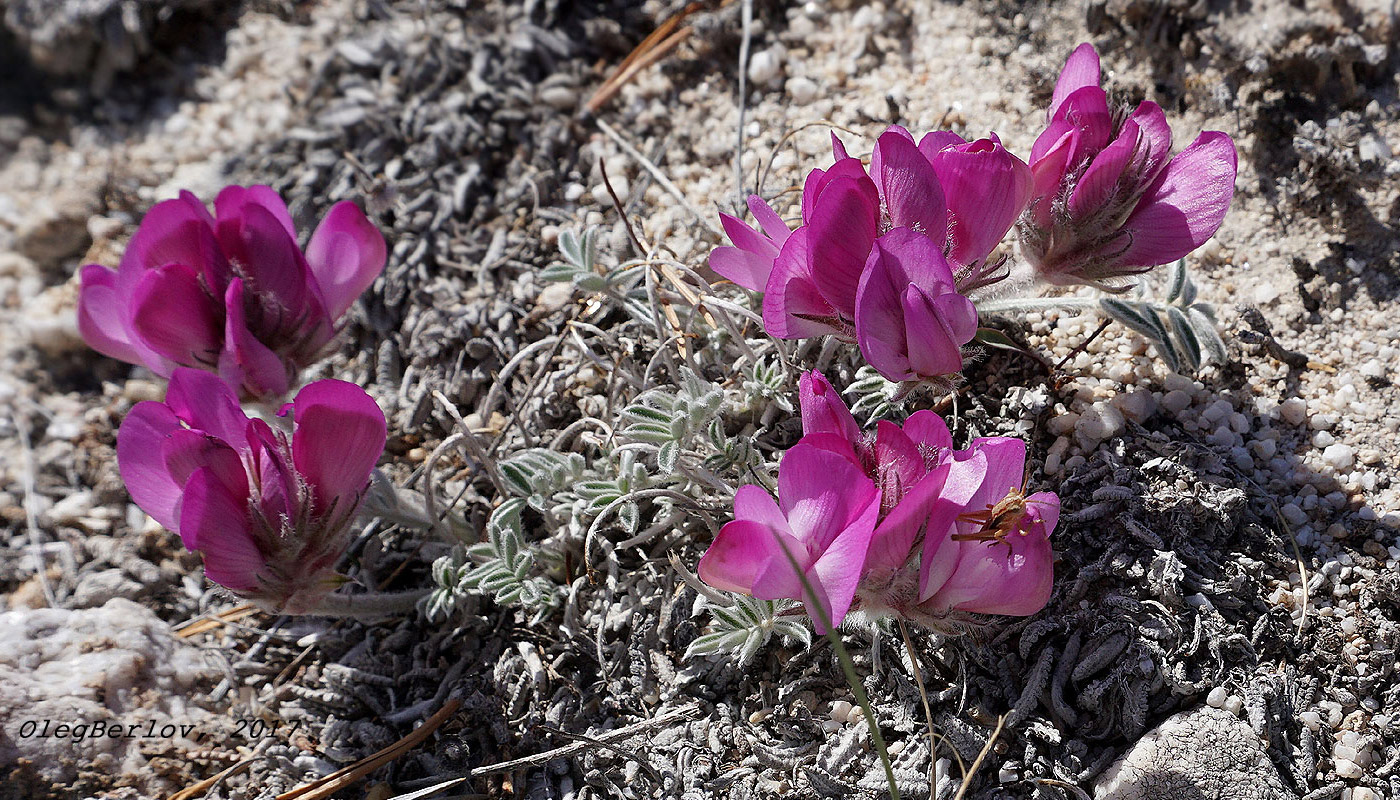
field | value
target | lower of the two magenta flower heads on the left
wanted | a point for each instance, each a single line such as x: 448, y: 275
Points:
x: 271, y: 515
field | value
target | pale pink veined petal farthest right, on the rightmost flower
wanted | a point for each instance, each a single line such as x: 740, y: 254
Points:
x: 1186, y: 204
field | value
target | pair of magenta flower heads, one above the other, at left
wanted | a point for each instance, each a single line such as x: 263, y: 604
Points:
x: 233, y: 295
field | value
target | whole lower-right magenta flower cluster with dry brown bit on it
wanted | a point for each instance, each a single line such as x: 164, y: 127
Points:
x: 894, y: 520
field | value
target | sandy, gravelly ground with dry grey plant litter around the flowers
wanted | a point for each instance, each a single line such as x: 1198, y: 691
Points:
x: 1228, y: 603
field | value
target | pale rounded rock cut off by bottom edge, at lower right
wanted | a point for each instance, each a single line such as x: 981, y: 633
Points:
x: 1198, y: 754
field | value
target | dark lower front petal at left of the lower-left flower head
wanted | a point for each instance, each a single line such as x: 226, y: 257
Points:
x: 216, y: 520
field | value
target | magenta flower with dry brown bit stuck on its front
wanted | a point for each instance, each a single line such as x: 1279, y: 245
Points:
x: 988, y: 546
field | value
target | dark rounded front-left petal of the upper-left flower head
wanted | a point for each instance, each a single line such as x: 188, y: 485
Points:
x: 176, y: 317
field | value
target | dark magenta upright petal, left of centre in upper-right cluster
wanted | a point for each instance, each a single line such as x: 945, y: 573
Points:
x: 843, y: 228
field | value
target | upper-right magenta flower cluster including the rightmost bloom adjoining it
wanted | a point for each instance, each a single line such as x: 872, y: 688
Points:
x: 887, y: 256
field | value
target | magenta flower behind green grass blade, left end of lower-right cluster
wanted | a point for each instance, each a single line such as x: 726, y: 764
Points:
x: 824, y: 520
